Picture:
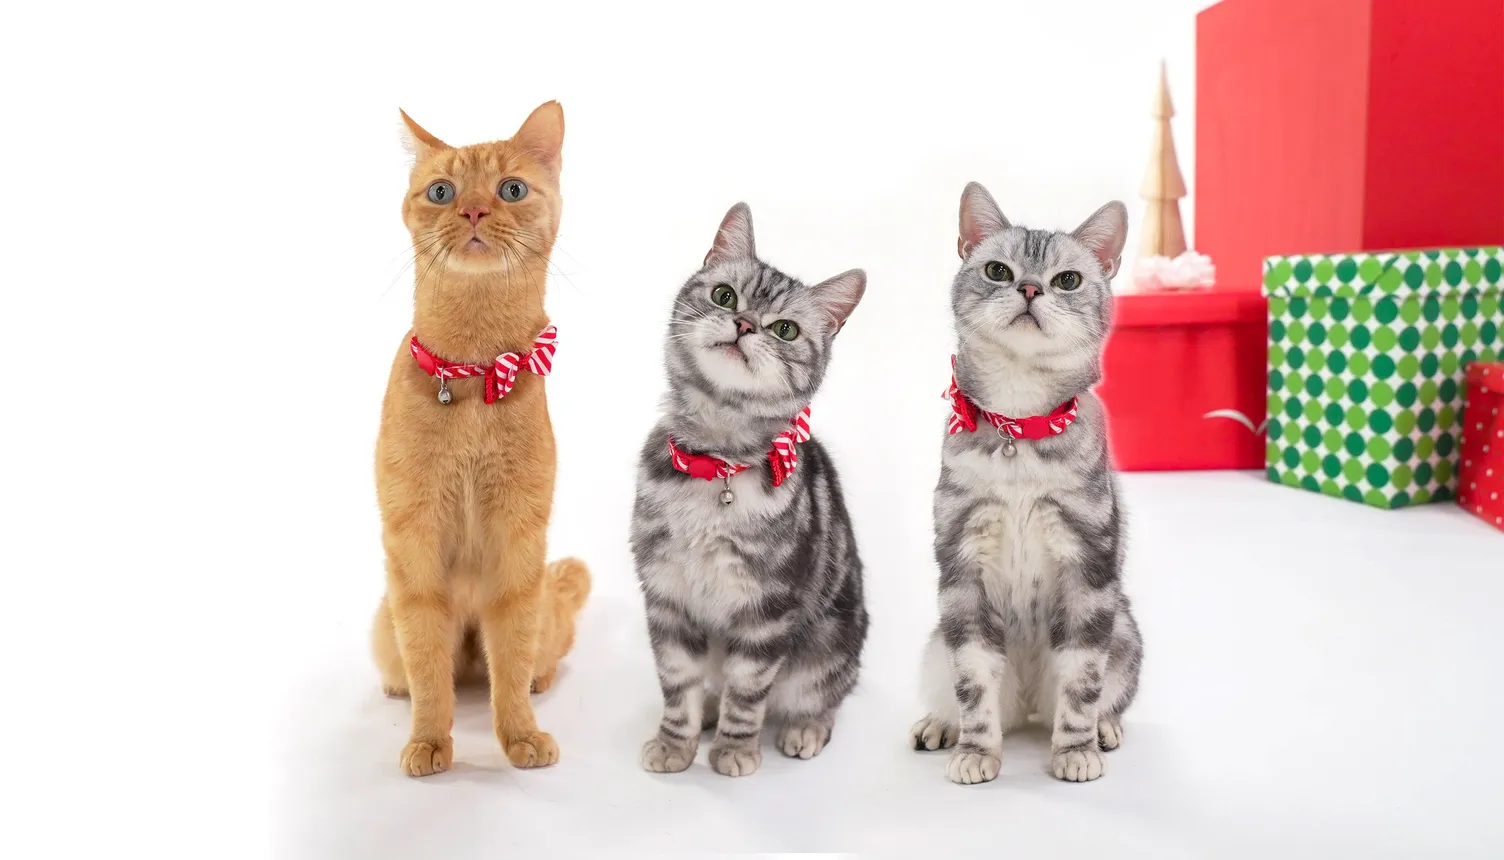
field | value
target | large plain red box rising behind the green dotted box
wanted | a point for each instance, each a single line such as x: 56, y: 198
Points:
x: 1350, y: 126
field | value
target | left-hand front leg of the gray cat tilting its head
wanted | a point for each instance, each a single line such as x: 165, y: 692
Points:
x: 681, y: 652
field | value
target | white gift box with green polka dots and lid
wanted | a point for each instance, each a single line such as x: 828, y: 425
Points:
x: 1368, y: 356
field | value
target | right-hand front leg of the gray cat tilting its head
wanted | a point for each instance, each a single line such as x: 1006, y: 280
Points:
x: 750, y: 674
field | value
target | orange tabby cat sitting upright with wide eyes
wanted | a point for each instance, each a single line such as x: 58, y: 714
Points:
x: 467, y: 486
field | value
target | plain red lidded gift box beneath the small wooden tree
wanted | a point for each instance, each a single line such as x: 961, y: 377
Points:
x: 1183, y: 374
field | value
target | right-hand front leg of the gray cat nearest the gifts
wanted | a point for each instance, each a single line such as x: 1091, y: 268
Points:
x: 1079, y: 638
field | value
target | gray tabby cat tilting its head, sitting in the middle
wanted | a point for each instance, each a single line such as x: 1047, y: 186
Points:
x: 753, y: 592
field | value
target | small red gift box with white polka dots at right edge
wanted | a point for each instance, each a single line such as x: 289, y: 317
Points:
x: 1481, y: 482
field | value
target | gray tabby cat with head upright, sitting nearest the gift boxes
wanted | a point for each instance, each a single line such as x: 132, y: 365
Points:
x: 1029, y: 534
